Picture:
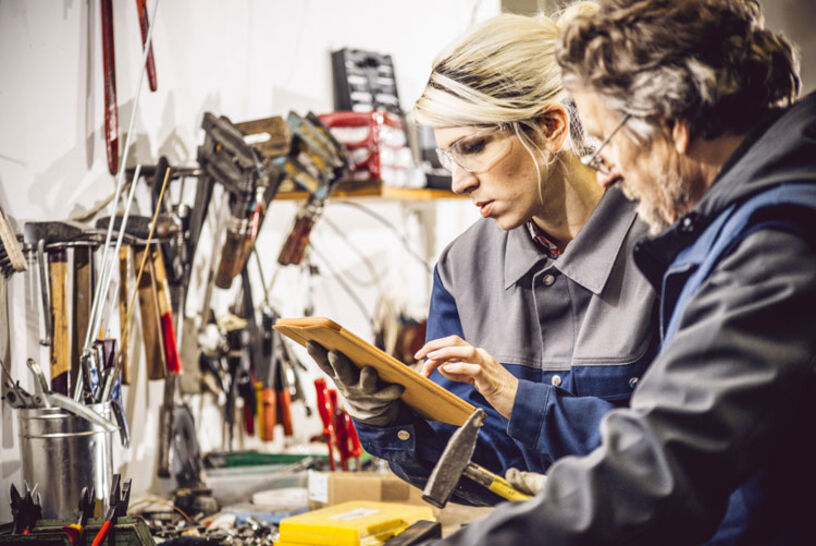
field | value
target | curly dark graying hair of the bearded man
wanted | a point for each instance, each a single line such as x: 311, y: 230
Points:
x: 711, y: 63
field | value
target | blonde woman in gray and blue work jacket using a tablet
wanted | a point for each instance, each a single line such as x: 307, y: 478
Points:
x: 538, y: 314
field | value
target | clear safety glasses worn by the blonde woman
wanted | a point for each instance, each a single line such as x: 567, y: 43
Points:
x: 476, y: 153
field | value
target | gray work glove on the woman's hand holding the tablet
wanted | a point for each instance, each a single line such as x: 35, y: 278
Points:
x: 369, y: 400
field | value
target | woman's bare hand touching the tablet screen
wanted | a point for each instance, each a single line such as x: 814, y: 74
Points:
x: 458, y: 360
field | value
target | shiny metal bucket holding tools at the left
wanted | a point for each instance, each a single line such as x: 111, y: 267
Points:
x: 64, y: 453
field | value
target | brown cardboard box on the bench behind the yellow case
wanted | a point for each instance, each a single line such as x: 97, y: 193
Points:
x: 329, y: 488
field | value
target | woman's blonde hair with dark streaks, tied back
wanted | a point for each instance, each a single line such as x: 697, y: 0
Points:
x: 502, y: 72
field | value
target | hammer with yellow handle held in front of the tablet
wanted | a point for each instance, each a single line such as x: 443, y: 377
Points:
x: 455, y: 462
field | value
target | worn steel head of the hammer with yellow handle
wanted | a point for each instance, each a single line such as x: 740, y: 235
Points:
x: 454, y: 460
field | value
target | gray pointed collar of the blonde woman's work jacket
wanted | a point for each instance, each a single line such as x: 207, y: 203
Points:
x: 589, y: 258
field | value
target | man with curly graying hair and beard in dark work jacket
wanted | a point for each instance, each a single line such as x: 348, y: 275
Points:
x: 695, y: 104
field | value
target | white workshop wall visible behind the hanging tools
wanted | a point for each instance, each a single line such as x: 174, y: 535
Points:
x: 244, y: 59
